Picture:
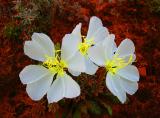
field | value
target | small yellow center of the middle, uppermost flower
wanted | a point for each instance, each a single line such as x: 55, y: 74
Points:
x: 85, y: 45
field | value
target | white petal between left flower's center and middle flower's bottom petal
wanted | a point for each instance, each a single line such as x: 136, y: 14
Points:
x: 77, y: 62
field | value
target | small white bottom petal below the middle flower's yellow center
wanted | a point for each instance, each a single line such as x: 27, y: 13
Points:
x: 91, y: 68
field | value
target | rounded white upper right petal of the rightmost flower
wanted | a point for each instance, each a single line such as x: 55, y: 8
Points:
x: 125, y: 48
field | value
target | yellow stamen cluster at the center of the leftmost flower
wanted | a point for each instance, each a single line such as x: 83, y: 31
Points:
x: 55, y: 64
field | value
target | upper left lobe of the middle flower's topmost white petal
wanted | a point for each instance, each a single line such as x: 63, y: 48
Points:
x: 94, y: 24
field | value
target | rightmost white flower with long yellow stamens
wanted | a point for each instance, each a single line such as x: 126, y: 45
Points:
x: 122, y: 77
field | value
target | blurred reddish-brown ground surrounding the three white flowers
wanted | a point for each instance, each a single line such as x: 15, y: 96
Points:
x: 138, y: 20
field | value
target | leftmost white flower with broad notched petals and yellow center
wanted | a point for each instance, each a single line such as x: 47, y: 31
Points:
x: 39, y: 78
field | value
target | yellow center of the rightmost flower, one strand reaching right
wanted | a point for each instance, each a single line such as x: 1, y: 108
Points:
x: 117, y: 63
